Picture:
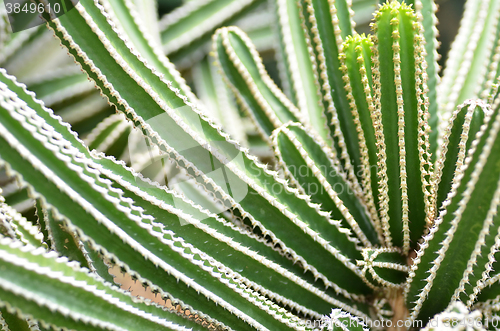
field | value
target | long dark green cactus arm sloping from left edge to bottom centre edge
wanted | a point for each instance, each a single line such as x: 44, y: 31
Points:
x: 121, y: 231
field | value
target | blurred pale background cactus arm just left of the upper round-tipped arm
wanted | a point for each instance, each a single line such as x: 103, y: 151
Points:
x: 213, y: 92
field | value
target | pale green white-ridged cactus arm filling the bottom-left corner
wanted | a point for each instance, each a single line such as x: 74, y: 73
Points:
x: 36, y: 283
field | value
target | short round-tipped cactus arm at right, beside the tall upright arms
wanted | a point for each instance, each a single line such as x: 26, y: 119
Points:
x: 465, y: 122
